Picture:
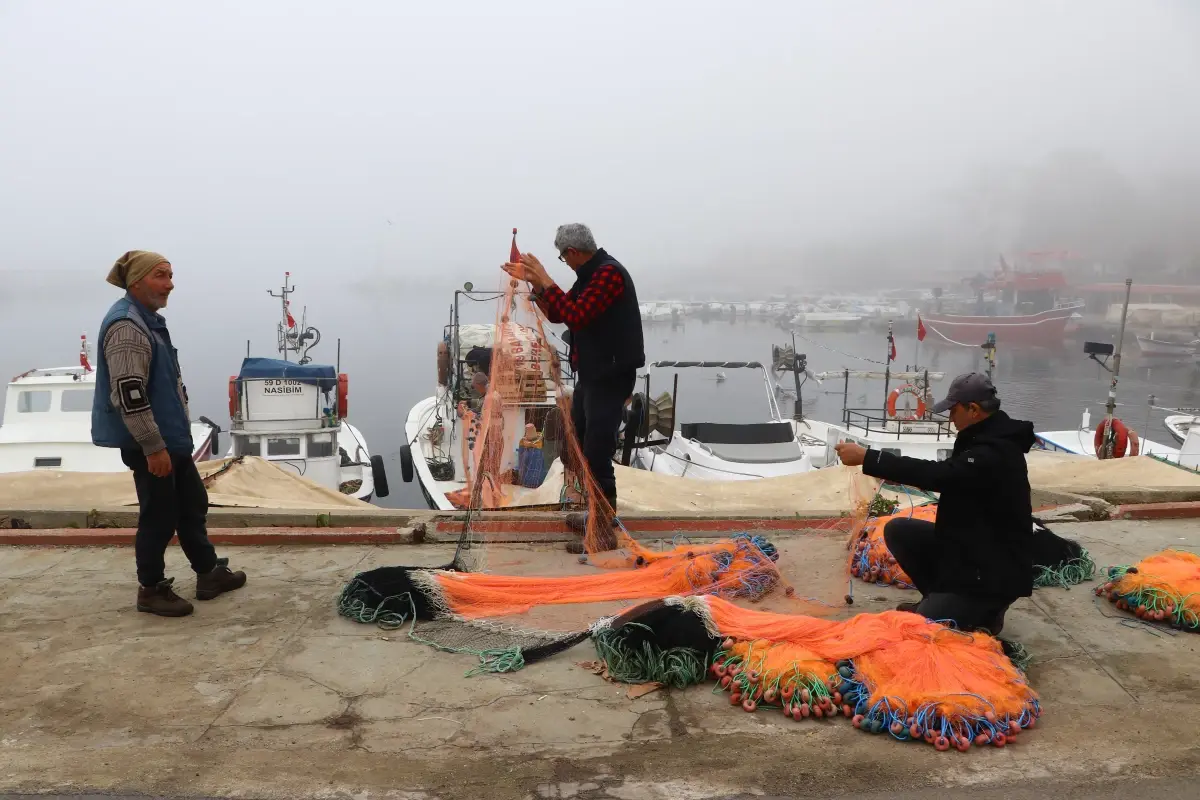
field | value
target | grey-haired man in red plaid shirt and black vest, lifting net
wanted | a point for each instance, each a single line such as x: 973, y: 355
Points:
x: 601, y: 312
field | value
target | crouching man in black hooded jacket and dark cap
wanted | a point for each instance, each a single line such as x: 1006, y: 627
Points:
x: 977, y: 558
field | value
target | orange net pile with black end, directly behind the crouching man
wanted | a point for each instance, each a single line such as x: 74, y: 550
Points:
x: 1058, y: 562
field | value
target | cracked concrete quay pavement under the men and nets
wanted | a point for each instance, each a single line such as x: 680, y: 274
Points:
x: 268, y: 694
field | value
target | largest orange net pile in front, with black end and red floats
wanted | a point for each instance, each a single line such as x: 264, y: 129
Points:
x: 891, y: 673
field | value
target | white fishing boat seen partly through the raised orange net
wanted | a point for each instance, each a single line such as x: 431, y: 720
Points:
x: 441, y: 431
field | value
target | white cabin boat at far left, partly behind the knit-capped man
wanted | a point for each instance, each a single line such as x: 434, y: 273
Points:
x: 47, y: 423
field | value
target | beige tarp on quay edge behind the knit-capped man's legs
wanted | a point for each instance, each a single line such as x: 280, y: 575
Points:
x: 250, y: 484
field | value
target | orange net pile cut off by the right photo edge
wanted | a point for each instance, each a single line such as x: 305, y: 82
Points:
x: 1163, y: 588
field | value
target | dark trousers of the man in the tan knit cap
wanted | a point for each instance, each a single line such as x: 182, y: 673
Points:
x: 178, y: 503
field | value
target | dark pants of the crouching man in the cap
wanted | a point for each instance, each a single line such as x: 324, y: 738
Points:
x: 915, y: 548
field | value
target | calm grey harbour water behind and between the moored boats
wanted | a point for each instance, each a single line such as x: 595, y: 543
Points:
x: 389, y: 340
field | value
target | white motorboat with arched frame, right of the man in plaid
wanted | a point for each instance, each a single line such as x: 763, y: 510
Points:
x: 723, y: 452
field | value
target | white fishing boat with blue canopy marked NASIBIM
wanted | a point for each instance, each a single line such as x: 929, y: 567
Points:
x: 295, y: 413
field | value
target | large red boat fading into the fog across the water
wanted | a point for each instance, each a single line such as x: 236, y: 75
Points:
x: 1018, y: 308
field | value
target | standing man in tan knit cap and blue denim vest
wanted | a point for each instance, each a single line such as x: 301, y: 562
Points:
x: 141, y: 407
